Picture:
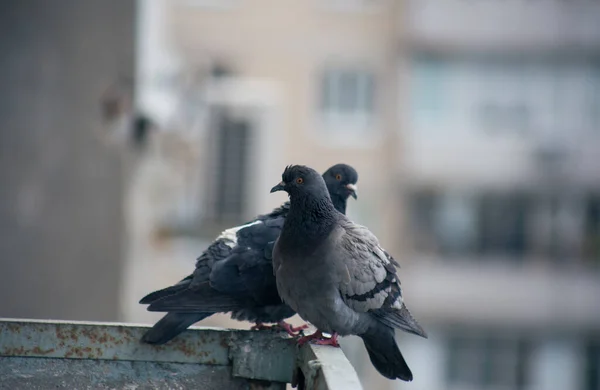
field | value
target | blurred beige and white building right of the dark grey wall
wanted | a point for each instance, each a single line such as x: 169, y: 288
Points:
x: 474, y: 127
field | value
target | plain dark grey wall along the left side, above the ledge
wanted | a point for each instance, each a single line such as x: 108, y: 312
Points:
x: 61, y: 188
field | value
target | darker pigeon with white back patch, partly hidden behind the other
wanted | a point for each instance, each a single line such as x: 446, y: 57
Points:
x: 235, y: 273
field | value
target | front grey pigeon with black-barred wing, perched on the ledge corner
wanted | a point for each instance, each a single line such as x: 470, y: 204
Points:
x: 335, y: 275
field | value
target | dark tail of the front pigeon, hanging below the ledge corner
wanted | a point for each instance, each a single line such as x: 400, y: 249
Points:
x: 385, y: 354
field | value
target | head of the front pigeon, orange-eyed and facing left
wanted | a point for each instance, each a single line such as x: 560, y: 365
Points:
x: 300, y: 180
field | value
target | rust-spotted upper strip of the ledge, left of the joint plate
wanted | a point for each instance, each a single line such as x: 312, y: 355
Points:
x: 117, y: 341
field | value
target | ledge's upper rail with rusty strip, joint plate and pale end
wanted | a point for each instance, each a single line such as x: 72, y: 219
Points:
x: 253, y: 355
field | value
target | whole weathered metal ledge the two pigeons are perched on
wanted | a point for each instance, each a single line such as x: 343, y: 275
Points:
x: 42, y: 354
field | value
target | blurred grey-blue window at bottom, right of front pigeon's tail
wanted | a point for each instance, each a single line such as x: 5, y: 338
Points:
x: 487, y: 361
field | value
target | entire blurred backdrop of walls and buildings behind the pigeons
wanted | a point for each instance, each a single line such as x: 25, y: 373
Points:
x: 132, y: 133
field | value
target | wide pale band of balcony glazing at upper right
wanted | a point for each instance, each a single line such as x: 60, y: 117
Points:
x: 504, y: 95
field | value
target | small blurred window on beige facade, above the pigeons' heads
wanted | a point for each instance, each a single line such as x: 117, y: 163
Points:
x: 347, y: 97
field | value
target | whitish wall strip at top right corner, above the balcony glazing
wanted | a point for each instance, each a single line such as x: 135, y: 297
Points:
x: 507, y: 23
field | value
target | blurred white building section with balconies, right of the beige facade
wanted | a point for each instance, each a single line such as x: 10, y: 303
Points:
x: 501, y: 126
